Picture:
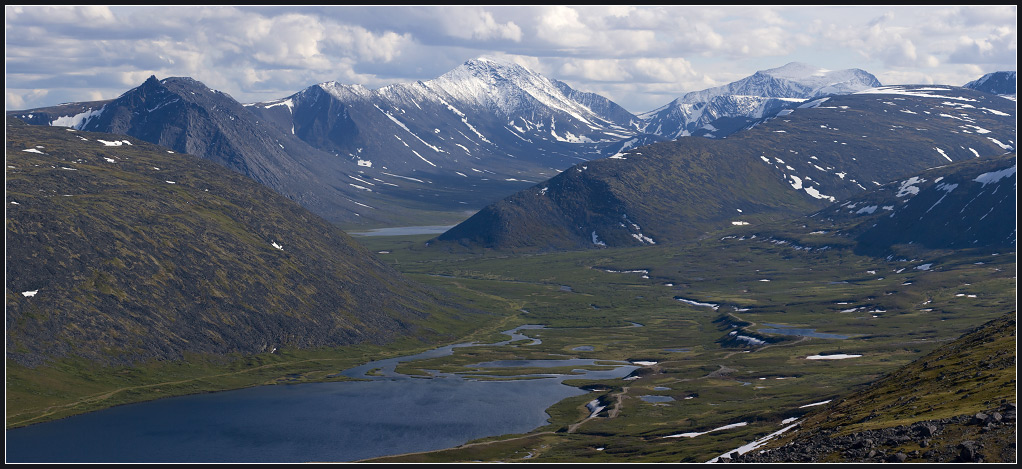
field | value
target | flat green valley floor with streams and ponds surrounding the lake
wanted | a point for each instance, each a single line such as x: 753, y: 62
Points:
x: 735, y: 340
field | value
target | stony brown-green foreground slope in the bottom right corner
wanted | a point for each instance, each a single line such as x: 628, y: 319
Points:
x: 954, y: 405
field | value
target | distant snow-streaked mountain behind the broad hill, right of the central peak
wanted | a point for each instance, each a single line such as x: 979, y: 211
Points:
x: 760, y: 96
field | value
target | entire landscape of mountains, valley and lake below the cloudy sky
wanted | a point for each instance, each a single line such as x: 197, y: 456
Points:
x: 801, y: 266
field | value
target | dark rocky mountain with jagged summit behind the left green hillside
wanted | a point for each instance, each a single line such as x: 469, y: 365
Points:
x: 189, y: 118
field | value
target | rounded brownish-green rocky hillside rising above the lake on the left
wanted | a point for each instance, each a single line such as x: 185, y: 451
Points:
x: 122, y: 252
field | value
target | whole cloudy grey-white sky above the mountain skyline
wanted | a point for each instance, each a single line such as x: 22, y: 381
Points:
x: 641, y: 58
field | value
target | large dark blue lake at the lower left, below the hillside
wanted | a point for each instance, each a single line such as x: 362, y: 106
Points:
x: 386, y: 414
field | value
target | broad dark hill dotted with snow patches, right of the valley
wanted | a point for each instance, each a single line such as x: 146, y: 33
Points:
x: 828, y: 150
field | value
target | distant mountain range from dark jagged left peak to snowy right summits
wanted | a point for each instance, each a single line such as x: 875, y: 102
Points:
x: 406, y: 153
